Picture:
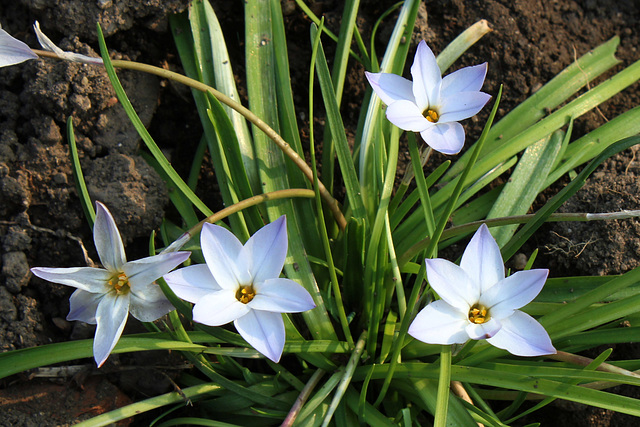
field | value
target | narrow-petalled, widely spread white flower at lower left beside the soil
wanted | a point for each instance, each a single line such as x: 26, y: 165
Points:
x: 105, y: 296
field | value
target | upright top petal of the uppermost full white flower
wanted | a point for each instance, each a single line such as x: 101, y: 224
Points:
x: 427, y: 77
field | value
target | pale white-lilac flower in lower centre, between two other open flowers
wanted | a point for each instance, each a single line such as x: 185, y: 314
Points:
x: 242, y: 284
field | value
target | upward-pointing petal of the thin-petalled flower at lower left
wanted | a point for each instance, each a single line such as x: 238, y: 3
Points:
x: 107, y: 240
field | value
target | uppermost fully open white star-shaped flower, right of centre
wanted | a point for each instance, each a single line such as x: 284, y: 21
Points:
x: 432, y: 105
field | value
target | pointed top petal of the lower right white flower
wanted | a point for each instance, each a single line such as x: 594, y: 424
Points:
x: 482, y: 260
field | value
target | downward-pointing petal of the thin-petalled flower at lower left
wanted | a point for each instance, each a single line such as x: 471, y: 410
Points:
x: 111, y: 317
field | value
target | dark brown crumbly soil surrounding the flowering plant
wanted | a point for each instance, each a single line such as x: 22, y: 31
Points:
x: 41, y: 221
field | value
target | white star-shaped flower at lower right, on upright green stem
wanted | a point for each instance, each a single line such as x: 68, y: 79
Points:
x: 478, y: 302
